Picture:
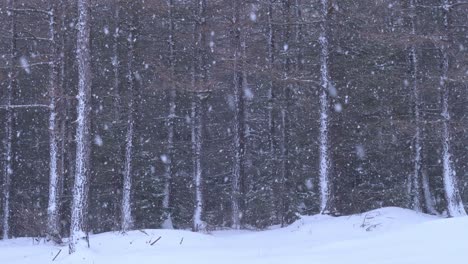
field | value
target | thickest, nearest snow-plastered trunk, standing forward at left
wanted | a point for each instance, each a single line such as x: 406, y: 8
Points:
x: 79, y: 200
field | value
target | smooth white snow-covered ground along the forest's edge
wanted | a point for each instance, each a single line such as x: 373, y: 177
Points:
x: 387, y: 235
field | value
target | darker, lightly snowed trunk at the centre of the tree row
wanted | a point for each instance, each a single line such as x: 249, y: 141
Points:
x: 239, y: 127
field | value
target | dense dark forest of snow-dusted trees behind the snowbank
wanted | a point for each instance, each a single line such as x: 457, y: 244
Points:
x: 120, y: 115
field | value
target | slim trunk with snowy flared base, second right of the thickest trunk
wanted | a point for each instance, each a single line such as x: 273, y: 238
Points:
x: 168, y: 166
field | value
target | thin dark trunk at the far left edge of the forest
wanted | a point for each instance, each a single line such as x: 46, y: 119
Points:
x: 8, y: 168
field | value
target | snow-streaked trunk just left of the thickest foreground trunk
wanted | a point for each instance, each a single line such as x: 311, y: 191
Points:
x: 53, y: 226
